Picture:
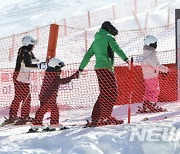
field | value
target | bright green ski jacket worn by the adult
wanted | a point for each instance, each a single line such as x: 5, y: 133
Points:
x: 103, y: 47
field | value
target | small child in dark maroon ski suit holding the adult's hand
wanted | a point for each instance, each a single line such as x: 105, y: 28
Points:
x: 49, y: 93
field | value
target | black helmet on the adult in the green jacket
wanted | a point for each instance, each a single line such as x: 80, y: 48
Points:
x: 109, y: 27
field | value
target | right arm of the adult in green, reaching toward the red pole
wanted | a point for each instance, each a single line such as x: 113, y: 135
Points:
x: 115, y: 47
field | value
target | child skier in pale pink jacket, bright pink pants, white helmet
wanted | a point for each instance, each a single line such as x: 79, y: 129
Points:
x: 151, y: 68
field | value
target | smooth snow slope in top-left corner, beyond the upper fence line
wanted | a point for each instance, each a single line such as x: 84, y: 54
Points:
x: 20, y: 15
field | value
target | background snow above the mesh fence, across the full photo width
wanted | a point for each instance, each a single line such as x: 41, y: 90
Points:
x: 19, y: 15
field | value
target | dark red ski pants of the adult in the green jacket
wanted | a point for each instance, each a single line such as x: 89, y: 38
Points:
x: 108, y: 95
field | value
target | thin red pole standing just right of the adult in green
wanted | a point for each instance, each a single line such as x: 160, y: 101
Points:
x: 130, y: 89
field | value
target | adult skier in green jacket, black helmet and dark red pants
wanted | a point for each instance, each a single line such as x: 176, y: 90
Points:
x: 103, y: 47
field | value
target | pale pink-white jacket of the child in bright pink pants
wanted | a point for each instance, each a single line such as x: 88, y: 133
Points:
x: 150, y: 64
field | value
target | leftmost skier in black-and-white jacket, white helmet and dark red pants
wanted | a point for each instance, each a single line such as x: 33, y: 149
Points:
x: 25, y: 62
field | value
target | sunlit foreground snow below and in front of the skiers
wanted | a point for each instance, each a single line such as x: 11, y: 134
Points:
x: 139, y: 137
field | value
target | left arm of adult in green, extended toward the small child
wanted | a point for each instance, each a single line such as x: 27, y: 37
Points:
x: 86, y: 58
